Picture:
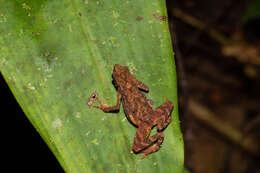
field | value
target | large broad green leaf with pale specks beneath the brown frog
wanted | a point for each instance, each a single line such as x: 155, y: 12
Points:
x: 54, y: 54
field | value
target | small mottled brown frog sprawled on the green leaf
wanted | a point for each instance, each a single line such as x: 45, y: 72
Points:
x: 138, y: 110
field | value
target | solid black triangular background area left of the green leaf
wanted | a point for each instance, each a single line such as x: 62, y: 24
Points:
x: 24, y: 150
